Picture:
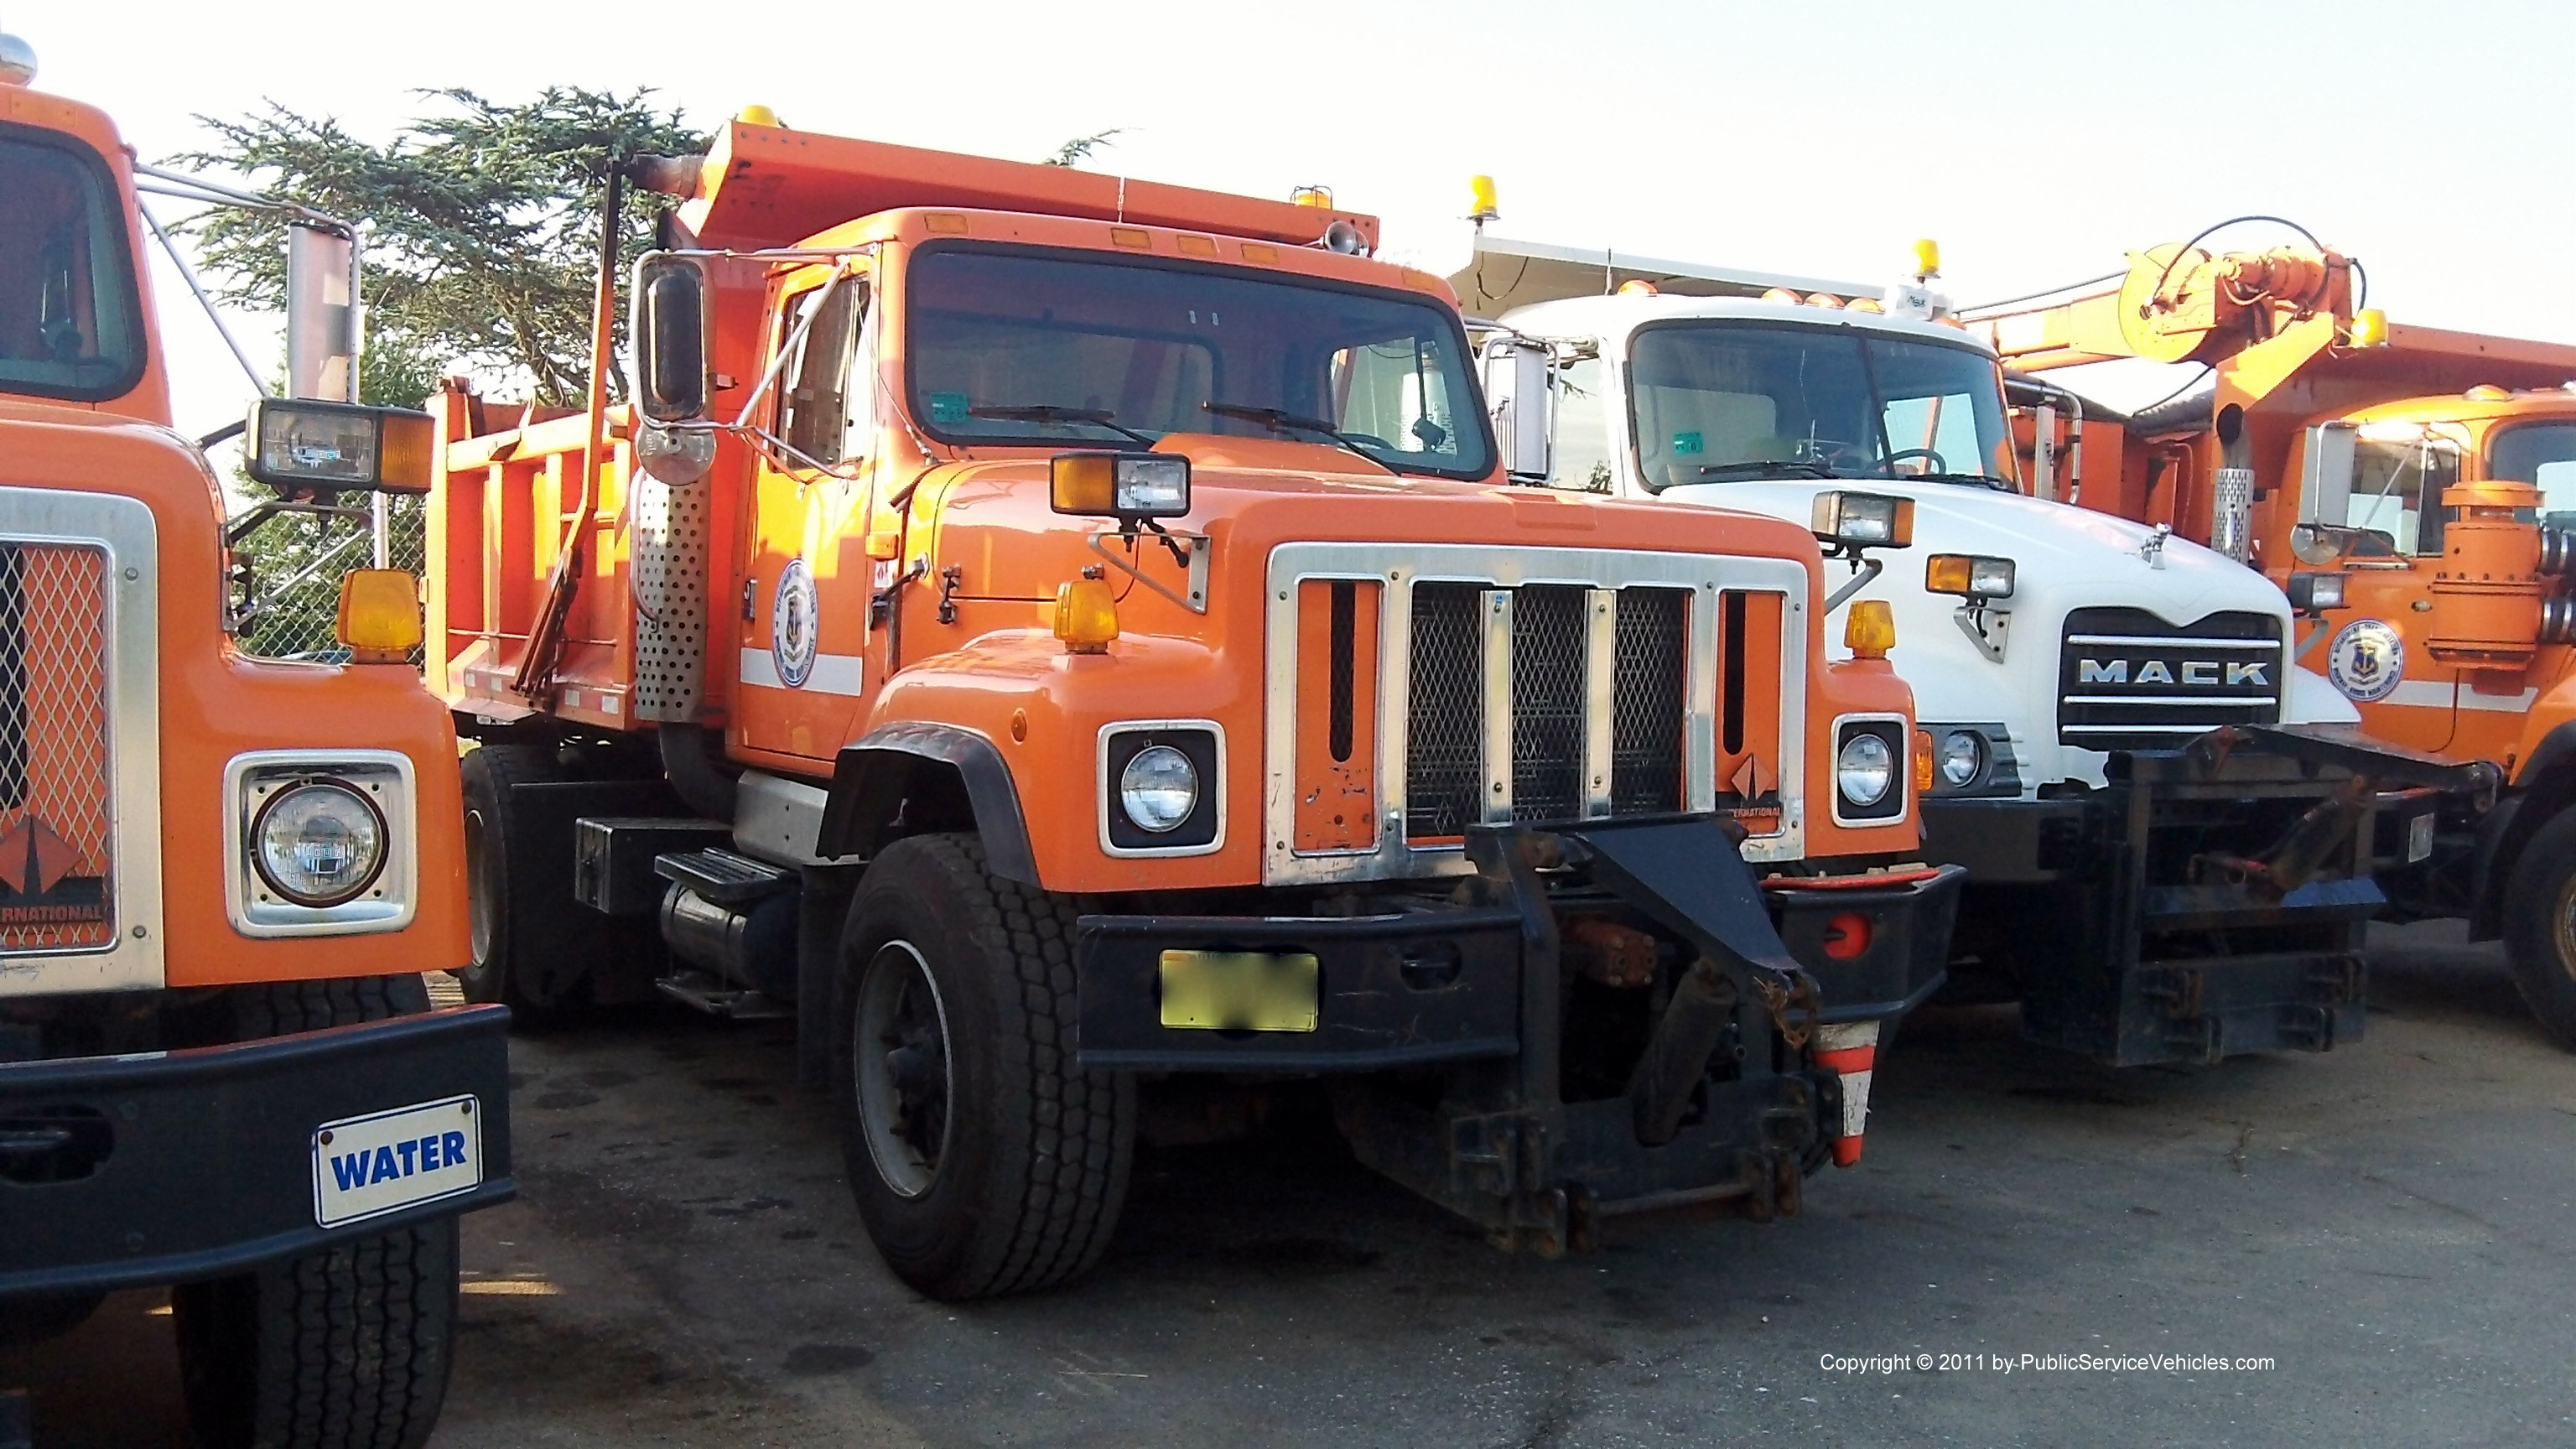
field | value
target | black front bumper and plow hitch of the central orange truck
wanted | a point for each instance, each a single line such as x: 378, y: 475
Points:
x: 1547, y: 1110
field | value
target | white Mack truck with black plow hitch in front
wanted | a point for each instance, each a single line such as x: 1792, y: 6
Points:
x: 2096, y: 734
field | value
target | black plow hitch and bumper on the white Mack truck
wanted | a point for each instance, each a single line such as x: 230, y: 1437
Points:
x: 2139, y: 922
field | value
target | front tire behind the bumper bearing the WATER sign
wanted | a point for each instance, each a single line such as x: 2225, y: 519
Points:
x: 346, y: 1347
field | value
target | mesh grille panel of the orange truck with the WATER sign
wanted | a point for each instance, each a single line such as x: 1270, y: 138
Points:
x: 55, y: 785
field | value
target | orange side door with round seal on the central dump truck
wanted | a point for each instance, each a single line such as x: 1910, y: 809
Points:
x: 805, y: 597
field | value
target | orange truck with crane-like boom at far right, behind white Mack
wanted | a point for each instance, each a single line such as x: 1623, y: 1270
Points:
x: 2415, y: 494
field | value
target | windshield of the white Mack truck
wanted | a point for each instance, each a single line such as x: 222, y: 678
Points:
x: 1732, y: 401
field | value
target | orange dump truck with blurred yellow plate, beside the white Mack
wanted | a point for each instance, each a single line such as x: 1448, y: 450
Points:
x: 1065, y: 643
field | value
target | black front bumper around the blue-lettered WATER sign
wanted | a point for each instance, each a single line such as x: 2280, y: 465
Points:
x: 171, y: 1167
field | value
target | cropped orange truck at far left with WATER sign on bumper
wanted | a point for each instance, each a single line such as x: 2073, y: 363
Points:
x: 220, y: 878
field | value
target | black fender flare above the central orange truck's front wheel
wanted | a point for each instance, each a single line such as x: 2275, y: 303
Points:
x: 913, y: 777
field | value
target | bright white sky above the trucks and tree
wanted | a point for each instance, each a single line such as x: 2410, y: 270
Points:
x: 2036, y: 143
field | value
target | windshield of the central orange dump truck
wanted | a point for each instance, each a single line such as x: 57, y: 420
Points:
x: 1014, y: 347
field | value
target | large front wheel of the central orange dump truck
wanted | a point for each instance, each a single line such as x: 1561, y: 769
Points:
x: 983, y: 1159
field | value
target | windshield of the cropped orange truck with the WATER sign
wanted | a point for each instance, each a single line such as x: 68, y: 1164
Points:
x: 68, y: 306
